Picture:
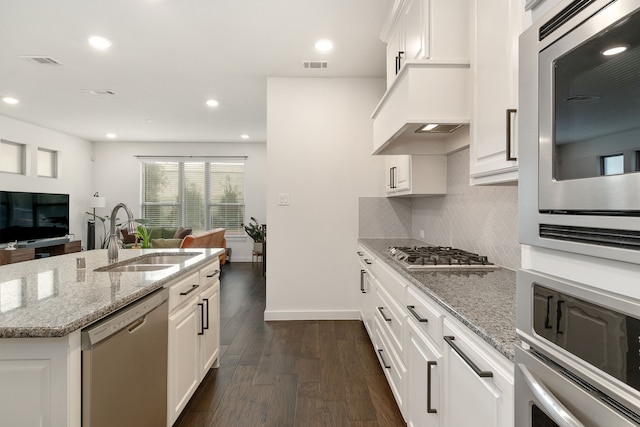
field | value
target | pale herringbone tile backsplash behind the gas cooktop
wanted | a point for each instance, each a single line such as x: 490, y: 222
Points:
x: 482, y: 219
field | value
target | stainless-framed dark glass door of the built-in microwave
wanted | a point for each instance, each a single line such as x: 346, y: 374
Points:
x: 589, y: 105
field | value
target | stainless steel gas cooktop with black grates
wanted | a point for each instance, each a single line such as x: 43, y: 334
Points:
x: 439, y: 257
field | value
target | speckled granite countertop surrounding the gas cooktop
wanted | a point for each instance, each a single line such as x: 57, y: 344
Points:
x: 485, y: 302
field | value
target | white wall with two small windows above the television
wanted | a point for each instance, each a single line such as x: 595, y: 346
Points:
x: 74, y: 168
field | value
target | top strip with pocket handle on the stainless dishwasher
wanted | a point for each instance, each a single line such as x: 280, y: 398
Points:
x: 122, y: 319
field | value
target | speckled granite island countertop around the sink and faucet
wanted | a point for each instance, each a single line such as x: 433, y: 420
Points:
x: 50, y: 297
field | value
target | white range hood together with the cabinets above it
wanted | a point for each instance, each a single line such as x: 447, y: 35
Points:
x: 427, y: 76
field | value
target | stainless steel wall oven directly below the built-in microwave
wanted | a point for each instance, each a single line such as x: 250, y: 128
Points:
x: 580, y: 365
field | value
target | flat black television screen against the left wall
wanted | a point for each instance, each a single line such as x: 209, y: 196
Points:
x: 33, y: 216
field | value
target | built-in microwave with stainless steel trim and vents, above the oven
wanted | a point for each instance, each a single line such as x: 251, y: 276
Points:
x: 579, y: 131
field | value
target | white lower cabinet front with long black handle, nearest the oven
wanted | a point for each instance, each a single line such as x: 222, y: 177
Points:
x: 477, y: 382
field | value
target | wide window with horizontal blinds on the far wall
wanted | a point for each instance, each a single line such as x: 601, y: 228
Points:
x: 200, y: 195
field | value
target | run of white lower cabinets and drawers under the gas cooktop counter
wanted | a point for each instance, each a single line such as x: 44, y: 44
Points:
x: 433, y: 384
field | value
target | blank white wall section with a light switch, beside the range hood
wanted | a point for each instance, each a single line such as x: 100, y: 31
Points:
x: 319, y: 141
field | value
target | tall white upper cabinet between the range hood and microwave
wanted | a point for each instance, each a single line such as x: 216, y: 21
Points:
x: 494, y: 69
